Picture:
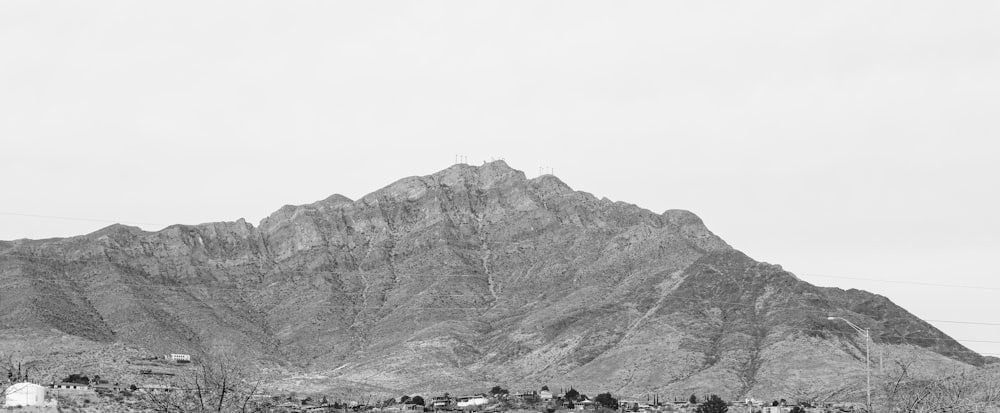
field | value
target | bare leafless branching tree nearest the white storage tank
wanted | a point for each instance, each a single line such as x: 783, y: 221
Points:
x: 219, y: 384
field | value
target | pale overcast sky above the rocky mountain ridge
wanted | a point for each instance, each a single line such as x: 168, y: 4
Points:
x: 852, y: 139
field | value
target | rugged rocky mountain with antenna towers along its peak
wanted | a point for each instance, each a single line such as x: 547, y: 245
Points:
x: 469, y: 277
